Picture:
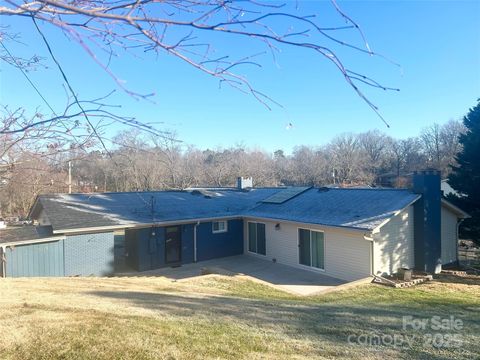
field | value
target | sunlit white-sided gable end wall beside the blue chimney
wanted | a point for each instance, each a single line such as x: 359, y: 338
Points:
x: 394, y: 244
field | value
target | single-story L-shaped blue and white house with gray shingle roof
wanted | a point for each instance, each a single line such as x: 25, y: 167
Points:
x: 343, y: 233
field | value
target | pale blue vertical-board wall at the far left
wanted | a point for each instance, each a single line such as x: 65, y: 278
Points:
x: 41, y: 259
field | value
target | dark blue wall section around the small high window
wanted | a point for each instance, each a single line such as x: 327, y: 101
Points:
x: 211, y: 246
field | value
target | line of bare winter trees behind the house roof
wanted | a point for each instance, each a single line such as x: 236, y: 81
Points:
x: 140, y: 162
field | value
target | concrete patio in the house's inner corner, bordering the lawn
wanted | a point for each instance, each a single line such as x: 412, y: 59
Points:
x: 283, y: 277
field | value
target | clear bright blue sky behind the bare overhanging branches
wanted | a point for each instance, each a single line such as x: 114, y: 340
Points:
x: 437, y: 44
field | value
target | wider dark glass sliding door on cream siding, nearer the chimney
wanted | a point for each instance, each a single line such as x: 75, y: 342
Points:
x: 311, y: 246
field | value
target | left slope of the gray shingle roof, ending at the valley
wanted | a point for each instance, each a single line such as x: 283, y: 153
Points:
x: 71, y: 211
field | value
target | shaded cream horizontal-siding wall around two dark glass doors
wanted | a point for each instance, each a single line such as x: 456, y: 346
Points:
x: 347, y: 253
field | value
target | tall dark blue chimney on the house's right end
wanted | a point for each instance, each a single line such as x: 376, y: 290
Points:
x: 427, y: 225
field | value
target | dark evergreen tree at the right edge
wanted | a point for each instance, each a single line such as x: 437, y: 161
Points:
x: 465, y: 176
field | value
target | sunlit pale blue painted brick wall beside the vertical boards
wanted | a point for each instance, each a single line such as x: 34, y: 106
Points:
x: 89, y: 254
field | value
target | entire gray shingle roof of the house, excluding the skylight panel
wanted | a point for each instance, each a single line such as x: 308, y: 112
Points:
x: 353, y: 208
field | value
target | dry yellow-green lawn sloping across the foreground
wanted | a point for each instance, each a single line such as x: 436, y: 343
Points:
x: 213, y: 317
